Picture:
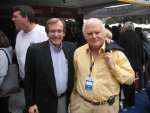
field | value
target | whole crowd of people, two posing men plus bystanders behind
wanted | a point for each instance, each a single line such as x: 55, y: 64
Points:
x: 60, y: 76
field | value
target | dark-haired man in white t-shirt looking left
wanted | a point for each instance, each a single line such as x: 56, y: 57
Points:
x: 30, y: 32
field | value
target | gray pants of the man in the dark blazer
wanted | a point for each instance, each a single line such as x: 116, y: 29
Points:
x: 62, y: 105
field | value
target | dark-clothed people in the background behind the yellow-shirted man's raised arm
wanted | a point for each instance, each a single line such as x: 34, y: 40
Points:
x: 132, y: 40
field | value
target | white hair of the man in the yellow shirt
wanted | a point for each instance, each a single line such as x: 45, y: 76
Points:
x: 92, y: 22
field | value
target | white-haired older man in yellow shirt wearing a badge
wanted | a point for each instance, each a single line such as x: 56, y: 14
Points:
x: 98, y: 74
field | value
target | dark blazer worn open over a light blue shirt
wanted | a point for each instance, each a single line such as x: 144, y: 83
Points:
x: 40, y: 86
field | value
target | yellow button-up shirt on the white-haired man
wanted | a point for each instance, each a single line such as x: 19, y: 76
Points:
x: 106, y: 81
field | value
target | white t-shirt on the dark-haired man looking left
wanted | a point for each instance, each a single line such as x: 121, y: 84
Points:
x: 24, y: 40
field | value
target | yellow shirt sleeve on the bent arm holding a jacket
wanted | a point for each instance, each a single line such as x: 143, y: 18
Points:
x: 122, y: 70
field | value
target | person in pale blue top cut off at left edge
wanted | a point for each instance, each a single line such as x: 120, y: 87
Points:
x: 5, y: 48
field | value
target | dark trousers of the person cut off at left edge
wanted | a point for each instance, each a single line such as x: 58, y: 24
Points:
x: 4, y: 105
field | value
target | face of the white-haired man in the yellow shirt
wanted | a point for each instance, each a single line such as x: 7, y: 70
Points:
x: 94, y: 35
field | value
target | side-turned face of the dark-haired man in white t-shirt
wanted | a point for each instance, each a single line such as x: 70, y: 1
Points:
x: 18, y: 20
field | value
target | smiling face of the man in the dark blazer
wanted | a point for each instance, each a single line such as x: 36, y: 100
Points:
x: 56, y: 33
